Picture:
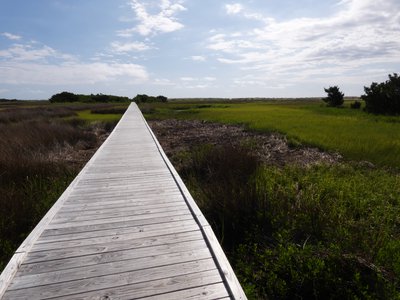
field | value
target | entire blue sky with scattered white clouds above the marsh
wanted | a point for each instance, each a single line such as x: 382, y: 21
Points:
x: 193, y: 48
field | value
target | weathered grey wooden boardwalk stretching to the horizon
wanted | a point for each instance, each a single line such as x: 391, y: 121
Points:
x: 126, y: 228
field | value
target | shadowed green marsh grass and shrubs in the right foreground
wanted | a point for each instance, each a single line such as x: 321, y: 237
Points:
x: 294, y: 232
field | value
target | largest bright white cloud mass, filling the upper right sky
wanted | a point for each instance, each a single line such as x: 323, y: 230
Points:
x: 360, y: 32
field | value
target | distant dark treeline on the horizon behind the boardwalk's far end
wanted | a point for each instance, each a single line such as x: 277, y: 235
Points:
x: 101, y: 98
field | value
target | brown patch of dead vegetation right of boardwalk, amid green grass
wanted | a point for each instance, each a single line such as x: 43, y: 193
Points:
x: 176, y: 136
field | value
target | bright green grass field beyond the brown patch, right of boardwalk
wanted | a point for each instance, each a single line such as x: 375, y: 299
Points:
x: 353, y: 133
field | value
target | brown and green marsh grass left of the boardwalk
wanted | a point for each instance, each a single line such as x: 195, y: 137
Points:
x: 42, y: 148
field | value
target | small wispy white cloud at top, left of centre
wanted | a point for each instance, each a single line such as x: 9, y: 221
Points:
x: 162, y: 22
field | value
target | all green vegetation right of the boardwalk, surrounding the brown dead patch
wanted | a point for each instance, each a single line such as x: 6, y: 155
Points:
x: 292, y: 232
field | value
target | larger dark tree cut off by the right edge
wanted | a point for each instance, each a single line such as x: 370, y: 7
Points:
x: 383, y: 98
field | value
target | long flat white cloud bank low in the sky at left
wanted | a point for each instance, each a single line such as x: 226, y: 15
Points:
x: 43, y: 65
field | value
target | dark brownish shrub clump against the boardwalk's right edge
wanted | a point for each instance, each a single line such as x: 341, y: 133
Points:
x: 221, y: 176
